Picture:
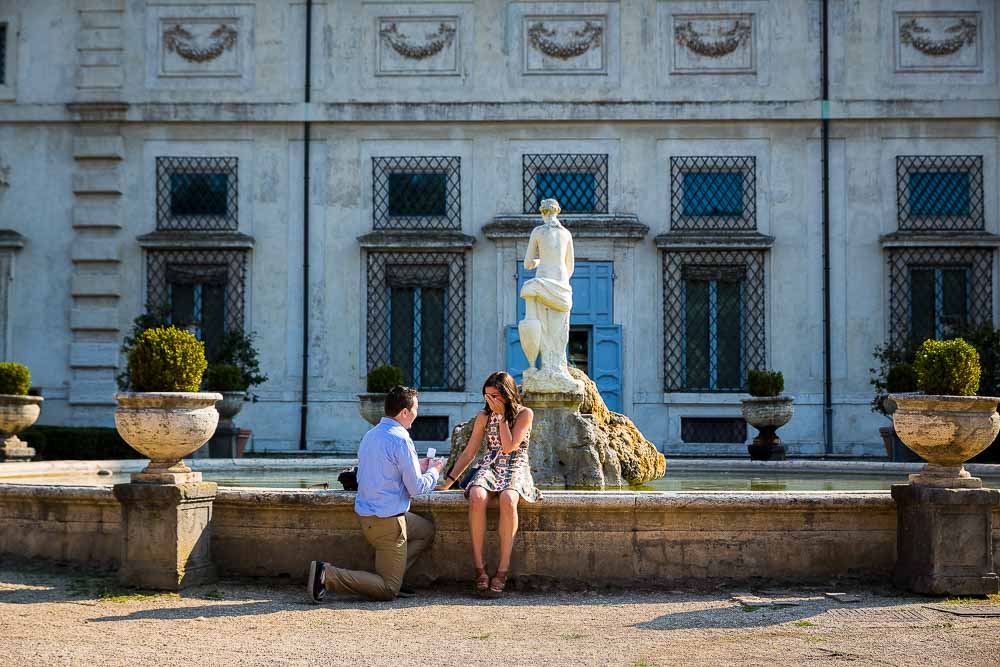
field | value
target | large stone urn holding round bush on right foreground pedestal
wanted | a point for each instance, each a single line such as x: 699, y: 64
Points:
x: 946, y: 431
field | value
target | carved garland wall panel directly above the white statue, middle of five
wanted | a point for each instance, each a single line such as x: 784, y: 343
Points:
x: 565, y: 44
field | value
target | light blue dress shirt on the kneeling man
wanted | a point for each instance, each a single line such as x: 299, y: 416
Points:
x: 389, y: 472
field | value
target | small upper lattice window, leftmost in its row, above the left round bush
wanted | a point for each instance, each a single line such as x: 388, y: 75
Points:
x: 197, y: 194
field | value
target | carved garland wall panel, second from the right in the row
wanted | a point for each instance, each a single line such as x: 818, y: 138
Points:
x: 713, y: 43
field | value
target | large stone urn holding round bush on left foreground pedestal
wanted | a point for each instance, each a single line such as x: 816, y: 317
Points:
x: 166, y: 427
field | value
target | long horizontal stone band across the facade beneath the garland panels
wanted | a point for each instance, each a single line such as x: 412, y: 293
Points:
x: 500, y: 111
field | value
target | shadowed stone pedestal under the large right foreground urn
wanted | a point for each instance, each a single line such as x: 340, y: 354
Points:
x: 944, y: 540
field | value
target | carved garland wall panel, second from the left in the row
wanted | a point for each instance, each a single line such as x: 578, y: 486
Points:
x: 422, y: 45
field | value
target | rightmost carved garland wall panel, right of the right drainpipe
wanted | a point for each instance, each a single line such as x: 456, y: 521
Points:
x: 938, y: 41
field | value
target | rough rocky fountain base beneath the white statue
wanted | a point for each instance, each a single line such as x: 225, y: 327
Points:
x: 577, y: 442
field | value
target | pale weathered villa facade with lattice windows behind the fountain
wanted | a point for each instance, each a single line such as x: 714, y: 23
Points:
x: 165, y: 153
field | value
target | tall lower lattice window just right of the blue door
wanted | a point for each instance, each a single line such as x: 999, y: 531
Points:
x: 713, y: 319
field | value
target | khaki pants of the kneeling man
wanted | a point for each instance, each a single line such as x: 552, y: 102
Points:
x: 397, y: 542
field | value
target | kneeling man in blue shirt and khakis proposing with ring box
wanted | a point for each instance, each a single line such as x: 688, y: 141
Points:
x: 388, y: 474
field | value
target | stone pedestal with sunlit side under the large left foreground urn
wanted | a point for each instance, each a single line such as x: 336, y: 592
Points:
x: 166, y: 534
